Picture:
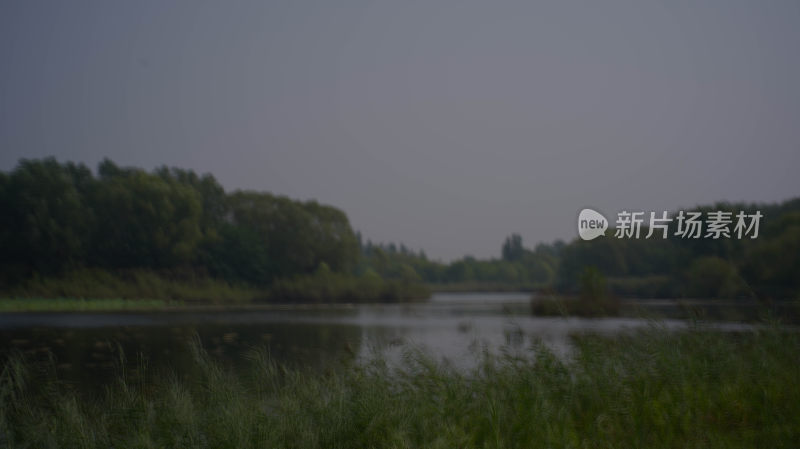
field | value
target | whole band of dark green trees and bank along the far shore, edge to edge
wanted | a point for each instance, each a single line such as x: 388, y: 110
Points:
x: 68, y: 231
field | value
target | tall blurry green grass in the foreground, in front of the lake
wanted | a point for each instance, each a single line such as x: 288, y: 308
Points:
x: 652, y: 389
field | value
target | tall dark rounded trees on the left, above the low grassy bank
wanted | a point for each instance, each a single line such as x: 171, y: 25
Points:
x: 59, y: 217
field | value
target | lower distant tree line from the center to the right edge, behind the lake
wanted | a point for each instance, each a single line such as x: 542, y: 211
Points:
x: 764, y: 268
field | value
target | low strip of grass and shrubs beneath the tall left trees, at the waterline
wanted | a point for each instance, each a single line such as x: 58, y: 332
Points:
x: 93, y: 289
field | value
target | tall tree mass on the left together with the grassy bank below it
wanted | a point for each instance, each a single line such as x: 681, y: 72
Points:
x: 68, y: 231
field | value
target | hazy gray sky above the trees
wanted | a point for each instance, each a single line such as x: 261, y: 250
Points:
x: 446, y: 125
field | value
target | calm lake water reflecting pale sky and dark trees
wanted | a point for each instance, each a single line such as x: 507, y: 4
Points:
x: 86, y: 347
